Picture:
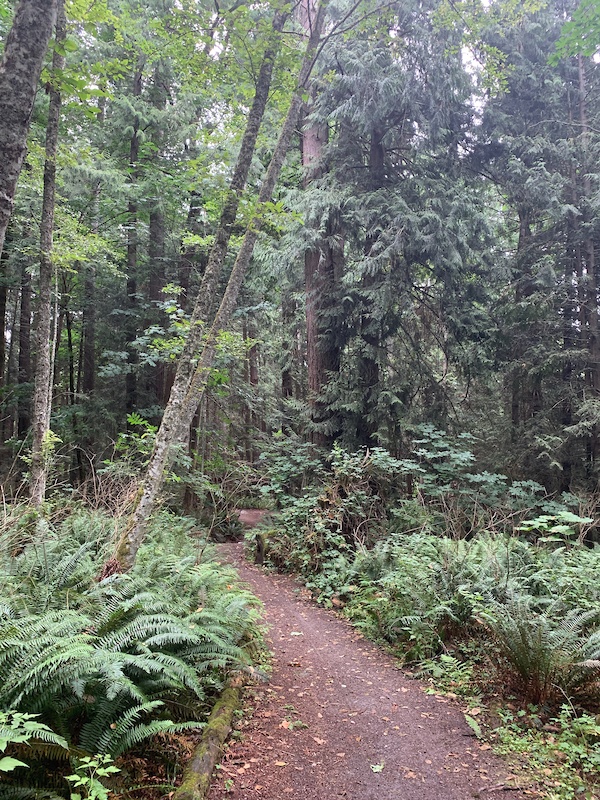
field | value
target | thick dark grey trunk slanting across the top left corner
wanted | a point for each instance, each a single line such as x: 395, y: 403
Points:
x: 20, y: 70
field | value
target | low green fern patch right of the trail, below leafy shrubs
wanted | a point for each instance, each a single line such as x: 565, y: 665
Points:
x: 534, y: 607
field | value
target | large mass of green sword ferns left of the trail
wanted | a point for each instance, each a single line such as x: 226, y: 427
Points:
x: 109, y: 663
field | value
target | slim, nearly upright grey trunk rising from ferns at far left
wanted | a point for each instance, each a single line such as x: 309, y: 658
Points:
x: 42, y: 393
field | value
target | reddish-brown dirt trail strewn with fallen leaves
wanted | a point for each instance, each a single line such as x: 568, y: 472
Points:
x: 371, y: 732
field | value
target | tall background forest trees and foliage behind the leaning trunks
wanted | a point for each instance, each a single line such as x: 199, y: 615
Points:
x: 452, y: 209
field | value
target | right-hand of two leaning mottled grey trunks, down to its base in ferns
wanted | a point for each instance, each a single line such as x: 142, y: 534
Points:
x: 186, y: 395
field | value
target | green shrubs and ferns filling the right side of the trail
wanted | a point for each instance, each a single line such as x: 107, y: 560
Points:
x: 489, y: 589
